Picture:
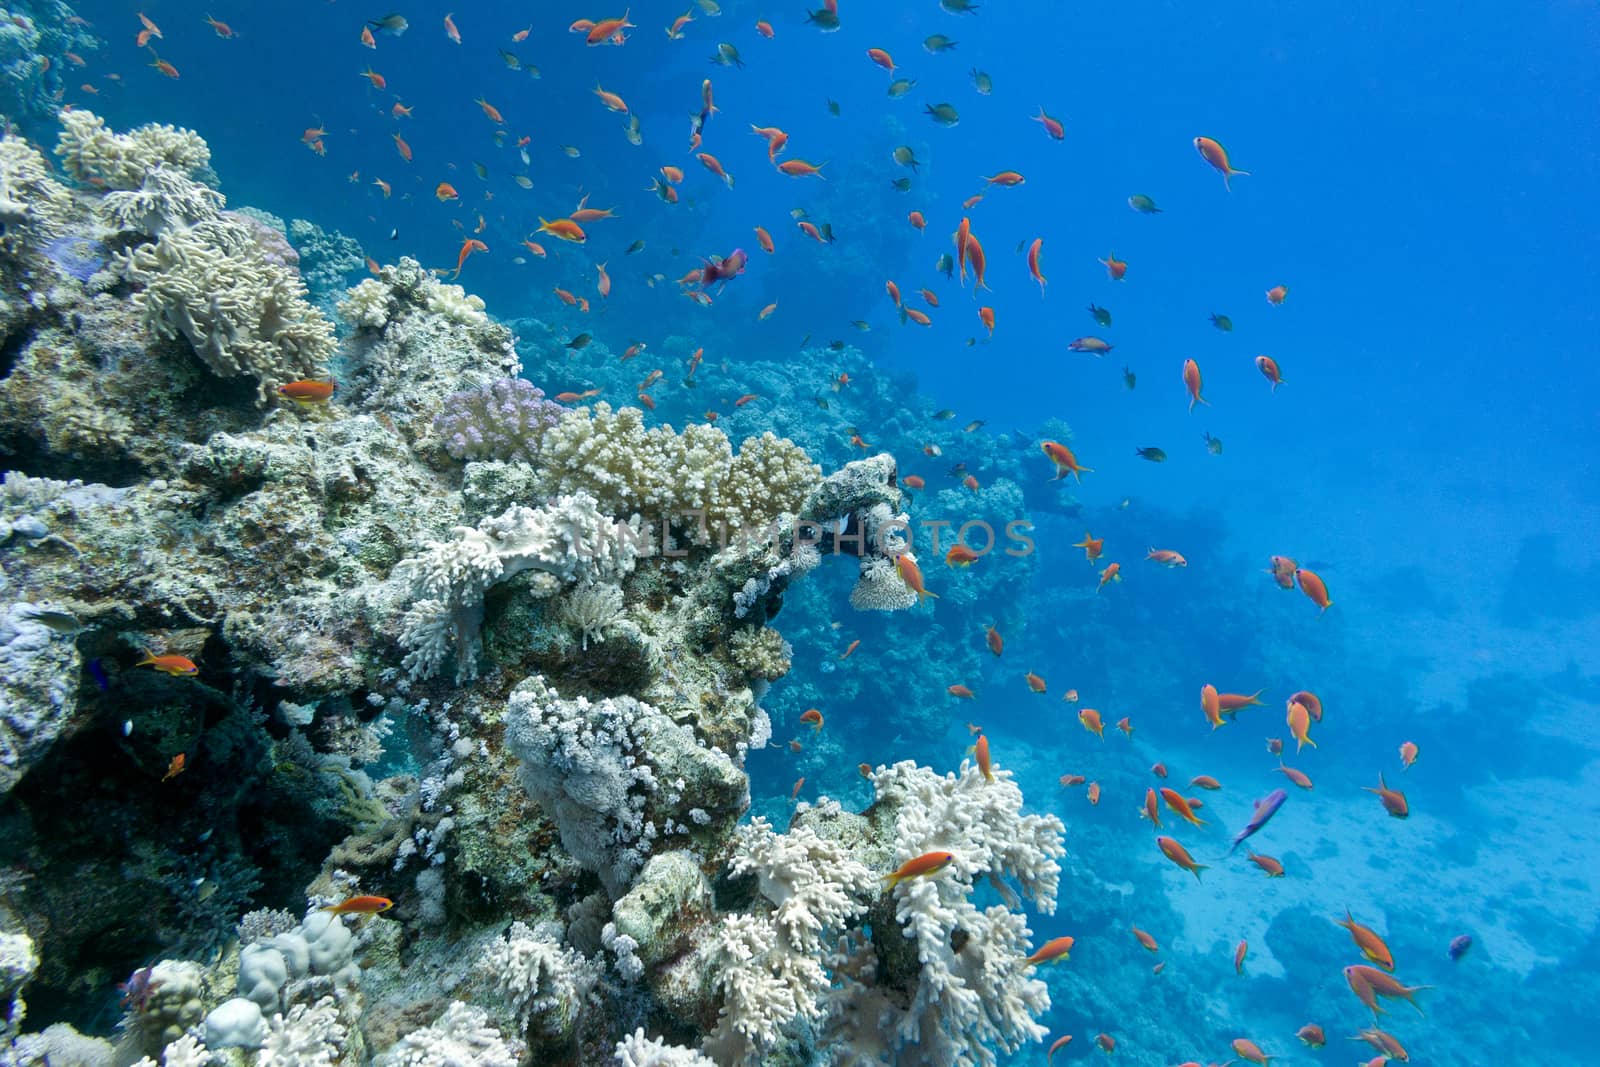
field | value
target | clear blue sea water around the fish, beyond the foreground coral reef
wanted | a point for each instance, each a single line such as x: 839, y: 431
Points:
x: 1423, y: 182
